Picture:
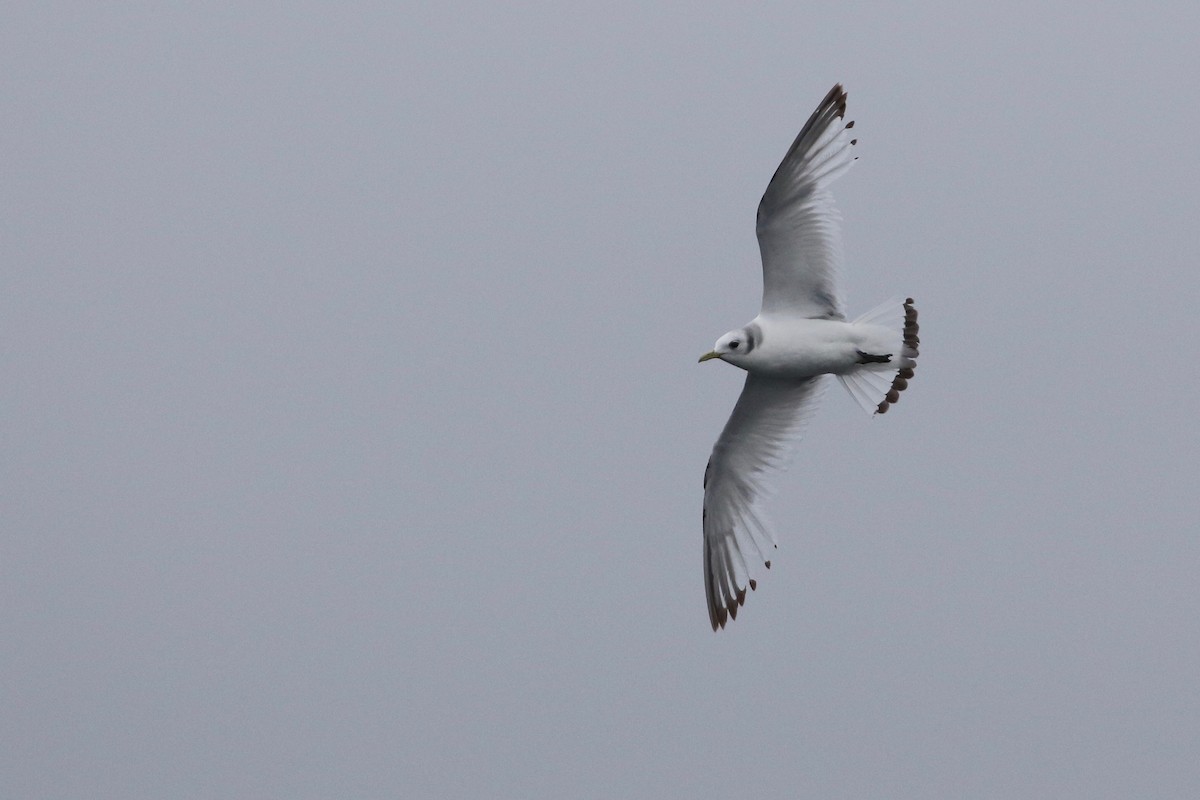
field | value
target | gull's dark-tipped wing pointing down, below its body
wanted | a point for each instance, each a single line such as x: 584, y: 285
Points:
x: 759, y: 437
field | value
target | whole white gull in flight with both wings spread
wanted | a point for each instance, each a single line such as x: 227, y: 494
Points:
x: 800, y: 336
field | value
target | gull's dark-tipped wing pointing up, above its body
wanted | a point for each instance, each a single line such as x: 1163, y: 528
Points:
x: 799, y: 232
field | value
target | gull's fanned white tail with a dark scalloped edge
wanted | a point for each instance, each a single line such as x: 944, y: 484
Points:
x: 875, y: 386
